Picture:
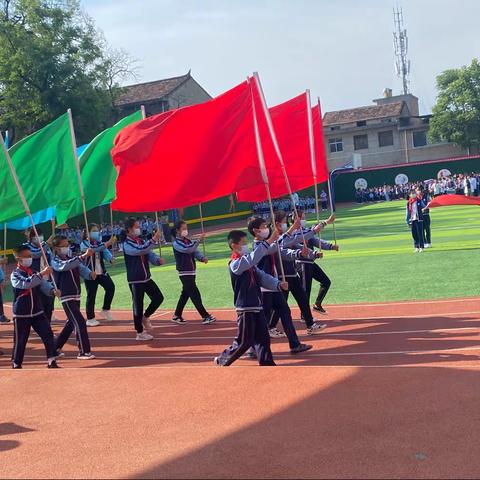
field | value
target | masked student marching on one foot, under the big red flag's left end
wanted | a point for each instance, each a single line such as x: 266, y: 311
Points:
x: 138, y: 254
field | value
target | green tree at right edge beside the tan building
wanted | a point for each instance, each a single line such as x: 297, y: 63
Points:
x: 456, y: 115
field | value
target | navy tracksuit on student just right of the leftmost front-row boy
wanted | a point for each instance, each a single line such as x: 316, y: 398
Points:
x: 67, y: 273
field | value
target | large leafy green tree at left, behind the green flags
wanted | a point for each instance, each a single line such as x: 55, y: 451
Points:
x: 53, y: 58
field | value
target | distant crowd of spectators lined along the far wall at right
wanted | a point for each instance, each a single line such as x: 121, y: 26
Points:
x: 459, y: 184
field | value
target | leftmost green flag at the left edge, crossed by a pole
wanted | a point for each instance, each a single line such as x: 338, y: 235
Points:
x: 45, y: 167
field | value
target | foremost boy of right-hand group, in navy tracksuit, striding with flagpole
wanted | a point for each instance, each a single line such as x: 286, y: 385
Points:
x: 247, y: 279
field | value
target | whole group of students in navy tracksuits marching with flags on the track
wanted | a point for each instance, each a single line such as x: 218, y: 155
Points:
x: 50, y: 268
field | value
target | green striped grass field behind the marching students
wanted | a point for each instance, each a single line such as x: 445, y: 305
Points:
x: 375, y: 263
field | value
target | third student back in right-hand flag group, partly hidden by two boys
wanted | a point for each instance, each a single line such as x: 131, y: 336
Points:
x: 291, y: 237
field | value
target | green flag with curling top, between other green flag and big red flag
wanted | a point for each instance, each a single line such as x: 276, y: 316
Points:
x: 97, y: 172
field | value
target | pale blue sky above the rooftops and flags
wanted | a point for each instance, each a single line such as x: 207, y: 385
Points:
x: 340, y: 49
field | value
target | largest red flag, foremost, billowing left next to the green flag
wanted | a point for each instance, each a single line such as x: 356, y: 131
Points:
x: 187, y: 156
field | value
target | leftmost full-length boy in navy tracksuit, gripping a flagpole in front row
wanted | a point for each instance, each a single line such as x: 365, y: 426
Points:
x: 28, y: 308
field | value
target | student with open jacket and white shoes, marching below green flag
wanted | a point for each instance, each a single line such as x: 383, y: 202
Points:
x: 97, y: 261
